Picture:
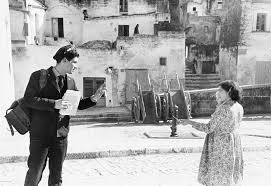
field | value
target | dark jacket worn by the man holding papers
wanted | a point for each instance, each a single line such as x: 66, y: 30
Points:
x: 45, y: 119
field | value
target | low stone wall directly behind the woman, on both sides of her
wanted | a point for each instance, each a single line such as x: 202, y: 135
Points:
x: 256, y: 100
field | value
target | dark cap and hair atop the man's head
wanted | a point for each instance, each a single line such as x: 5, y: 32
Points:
x: 69, y: 52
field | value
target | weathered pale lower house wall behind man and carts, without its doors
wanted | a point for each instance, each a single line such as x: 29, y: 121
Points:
x: 141, y: 51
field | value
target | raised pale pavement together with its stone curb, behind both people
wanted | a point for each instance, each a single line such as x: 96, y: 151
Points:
x: 126, y: 139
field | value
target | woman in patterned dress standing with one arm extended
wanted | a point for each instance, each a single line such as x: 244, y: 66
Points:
x: 222, y: 158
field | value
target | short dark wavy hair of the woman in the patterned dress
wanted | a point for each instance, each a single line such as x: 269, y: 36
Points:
x: 233, y: 89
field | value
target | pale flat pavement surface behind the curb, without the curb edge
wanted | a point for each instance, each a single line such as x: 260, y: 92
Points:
x: 109, y: 136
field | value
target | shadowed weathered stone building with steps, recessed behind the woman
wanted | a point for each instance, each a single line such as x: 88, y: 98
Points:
x: 202, y: 45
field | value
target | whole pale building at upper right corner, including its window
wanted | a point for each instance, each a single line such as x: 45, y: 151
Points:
x: 254, y: 59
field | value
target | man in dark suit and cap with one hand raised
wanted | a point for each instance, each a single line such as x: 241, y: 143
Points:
x: 49, y: 129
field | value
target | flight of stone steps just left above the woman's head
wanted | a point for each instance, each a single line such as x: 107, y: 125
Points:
x: 200, y: 81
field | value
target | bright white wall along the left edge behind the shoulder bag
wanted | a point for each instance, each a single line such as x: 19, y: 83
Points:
x: 6, y: 70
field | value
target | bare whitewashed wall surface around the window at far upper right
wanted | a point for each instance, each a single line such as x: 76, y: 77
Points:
x: 258, y: 45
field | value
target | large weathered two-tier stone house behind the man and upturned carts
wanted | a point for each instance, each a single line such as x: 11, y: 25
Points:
x: 111, y: 49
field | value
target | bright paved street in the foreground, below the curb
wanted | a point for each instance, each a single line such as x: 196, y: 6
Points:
x: 152, y: 170
